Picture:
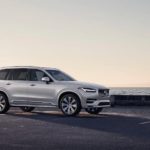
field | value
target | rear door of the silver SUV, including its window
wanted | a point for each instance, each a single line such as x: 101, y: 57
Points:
x: 17, y: 84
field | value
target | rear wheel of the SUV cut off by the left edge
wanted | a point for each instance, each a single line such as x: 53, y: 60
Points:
x: 4, y: 104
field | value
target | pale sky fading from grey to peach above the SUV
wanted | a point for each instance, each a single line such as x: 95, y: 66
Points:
x: 102, y: 41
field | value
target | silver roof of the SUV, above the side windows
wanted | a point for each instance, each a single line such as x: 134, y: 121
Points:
x: 28, y: 67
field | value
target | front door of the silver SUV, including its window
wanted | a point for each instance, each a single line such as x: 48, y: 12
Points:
x: 39, y: 92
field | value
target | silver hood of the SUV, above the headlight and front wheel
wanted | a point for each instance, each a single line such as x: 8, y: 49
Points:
x: 83, y: 84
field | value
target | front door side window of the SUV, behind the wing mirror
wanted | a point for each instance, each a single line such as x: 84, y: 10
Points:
x: 36, y: 75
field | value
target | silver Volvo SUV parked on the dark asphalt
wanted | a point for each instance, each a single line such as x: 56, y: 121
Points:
x: 30, y: 87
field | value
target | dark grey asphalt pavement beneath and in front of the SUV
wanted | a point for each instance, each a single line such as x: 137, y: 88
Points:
x: 118, y: 128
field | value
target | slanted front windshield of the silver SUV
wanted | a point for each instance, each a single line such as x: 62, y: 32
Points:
x: 60, y: 76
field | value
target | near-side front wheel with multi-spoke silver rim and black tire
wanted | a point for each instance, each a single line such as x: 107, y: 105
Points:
x: 70, y: 105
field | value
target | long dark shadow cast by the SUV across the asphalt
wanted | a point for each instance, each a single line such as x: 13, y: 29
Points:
x: 122, y: 125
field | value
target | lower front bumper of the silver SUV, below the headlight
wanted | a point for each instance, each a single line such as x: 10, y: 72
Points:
x: 99, y: 104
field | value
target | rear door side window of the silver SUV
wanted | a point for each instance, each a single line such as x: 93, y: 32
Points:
x: 20, y: 74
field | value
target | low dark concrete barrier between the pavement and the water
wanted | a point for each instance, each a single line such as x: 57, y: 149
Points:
x: 130, y: 100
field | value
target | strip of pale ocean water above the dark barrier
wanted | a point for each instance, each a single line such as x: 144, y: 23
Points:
x: 130, y: 91
